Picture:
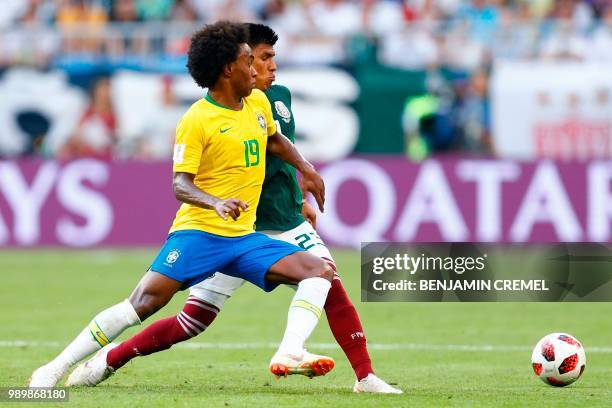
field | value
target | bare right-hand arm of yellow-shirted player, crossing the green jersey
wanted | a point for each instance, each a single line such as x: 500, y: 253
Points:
x: 282, y: 148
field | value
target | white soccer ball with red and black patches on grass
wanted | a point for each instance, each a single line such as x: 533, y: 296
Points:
x: 558, y: 359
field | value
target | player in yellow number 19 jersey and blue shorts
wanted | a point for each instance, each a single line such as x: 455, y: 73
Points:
x: 219, y: 164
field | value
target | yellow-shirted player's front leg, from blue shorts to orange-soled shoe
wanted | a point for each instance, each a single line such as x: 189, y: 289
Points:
x: 267, y: 263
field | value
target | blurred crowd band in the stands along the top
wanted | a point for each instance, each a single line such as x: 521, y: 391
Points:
x: 408, y: 33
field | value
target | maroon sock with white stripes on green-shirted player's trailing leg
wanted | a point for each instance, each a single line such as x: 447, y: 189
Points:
x: 195, y: 317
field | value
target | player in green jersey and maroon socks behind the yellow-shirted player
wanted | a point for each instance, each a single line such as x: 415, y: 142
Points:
x: 284, y: 215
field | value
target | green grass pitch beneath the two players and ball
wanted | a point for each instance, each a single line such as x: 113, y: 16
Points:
x: 49, y: 296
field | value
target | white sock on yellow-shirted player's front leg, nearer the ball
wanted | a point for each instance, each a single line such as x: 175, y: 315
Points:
x: 304, y: 313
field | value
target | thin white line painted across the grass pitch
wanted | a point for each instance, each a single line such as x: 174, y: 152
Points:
x: 272, y: 345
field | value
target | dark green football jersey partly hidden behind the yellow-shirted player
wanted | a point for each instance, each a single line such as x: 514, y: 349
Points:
x: 280, y: 205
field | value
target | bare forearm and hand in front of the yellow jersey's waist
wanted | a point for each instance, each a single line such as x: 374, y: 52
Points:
x: 186, y: 191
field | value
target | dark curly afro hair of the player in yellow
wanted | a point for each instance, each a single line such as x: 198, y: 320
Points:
x: 212, y: 48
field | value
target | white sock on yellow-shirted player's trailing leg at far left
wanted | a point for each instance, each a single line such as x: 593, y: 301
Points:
x: 103, y: 329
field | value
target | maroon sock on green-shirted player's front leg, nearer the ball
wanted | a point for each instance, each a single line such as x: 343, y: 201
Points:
x: 346, y: 327
